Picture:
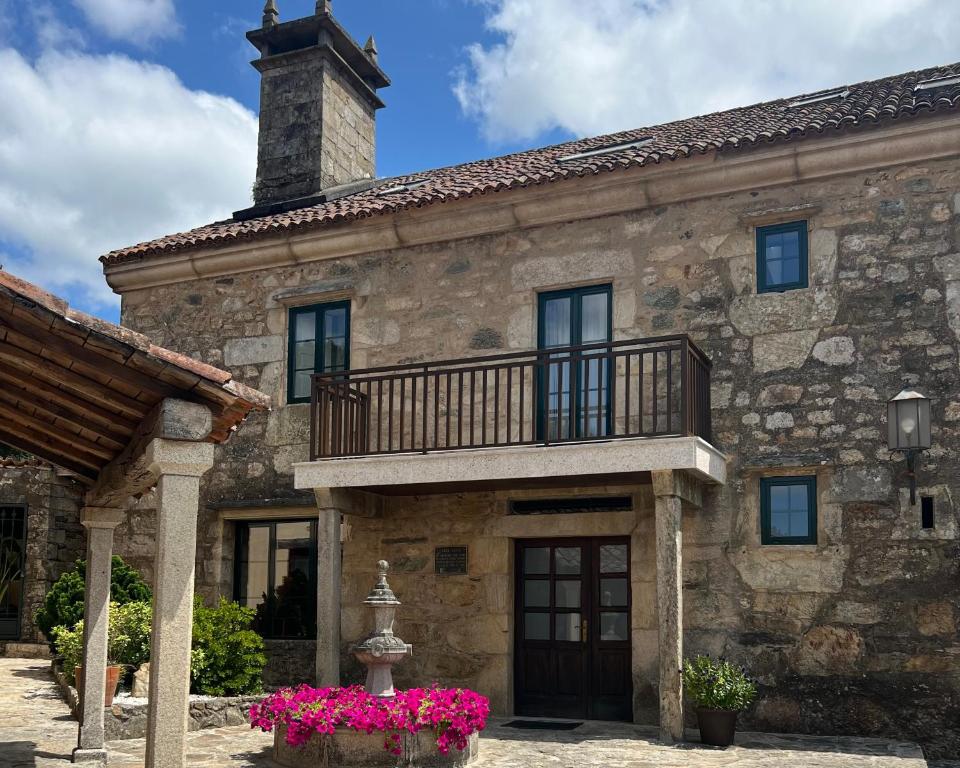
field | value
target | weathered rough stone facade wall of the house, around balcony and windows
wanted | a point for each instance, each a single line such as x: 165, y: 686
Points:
x: 856, y: 634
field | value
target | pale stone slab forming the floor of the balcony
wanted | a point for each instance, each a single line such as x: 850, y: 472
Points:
x: 630, y: 456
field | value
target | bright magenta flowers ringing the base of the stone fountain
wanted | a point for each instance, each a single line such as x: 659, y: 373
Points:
x: 451, y: 716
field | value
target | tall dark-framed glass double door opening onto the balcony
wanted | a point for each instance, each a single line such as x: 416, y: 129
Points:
x: 576, y: 400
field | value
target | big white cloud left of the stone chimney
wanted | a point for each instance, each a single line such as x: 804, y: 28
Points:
x: 99, y: 152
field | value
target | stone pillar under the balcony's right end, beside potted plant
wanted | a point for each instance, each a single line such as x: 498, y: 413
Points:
x: 668, y: 513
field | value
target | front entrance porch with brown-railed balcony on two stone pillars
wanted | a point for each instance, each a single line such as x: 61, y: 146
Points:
x: 424, y: 458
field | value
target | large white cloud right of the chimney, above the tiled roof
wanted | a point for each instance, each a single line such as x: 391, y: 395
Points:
x: 593, y: 68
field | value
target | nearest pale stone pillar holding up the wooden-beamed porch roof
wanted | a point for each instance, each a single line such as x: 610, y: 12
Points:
x: 178, y: 466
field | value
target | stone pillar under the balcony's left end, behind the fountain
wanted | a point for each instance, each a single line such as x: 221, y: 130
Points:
x: 328, y: 588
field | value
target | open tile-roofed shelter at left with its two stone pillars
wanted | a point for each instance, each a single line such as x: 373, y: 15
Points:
x: 126, y: 417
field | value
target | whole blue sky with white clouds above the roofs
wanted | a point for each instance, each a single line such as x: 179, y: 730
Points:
x: 123, y: 120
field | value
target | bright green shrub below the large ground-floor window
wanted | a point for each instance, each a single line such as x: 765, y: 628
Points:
x: 231, y: 658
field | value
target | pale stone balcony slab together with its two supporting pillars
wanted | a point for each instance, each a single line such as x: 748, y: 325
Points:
x: 673, y: 472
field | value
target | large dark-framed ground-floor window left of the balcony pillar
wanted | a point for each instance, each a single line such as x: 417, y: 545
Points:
x: 276, y: 574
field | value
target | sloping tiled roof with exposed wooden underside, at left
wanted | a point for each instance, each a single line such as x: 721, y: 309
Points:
x: 75, y: 390
